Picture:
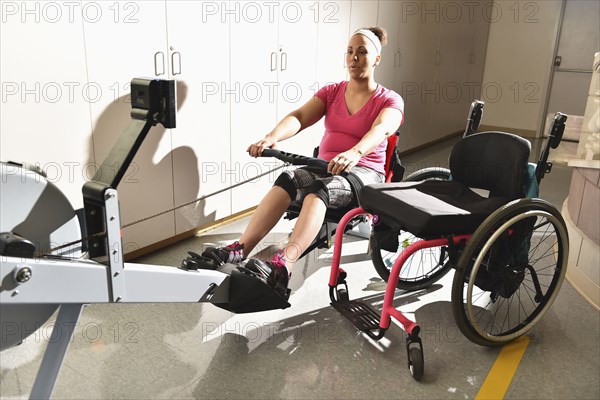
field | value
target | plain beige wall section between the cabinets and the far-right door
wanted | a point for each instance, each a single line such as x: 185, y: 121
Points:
x: 518, y: 63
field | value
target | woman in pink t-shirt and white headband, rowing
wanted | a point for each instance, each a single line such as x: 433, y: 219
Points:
x: 359, y: 115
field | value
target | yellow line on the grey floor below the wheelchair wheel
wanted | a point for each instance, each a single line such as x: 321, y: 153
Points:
x: 497, y: 382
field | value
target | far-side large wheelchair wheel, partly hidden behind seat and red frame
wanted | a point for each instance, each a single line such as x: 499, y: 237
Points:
x: 424, y: 267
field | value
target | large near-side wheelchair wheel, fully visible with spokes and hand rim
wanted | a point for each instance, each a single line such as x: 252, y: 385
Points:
x: 510, y: 272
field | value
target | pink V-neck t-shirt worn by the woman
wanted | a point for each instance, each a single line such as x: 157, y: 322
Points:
x: 343, y: 131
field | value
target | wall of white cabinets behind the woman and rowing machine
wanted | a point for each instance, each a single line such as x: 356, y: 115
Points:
x: 66, y: 68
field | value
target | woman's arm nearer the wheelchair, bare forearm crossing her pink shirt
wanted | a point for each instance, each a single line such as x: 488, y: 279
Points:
x: 386, y: 124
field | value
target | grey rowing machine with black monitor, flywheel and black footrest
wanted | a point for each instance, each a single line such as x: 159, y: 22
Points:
x: 37, y: 277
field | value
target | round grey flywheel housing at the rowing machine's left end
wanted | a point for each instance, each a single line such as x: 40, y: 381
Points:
x: 35, y: 216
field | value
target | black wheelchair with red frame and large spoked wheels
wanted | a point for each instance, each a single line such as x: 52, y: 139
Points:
x: 481, y: 217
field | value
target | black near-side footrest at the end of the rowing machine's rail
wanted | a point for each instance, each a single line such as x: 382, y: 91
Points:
x: 243, y: 292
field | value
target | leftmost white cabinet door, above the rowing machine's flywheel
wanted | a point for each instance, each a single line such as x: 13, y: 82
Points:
x: 45, y: 118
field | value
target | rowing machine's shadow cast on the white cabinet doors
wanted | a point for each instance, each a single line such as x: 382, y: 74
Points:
x: 158, y: 179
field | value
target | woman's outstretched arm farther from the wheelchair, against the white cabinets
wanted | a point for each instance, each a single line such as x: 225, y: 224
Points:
x: 294, y: 122
